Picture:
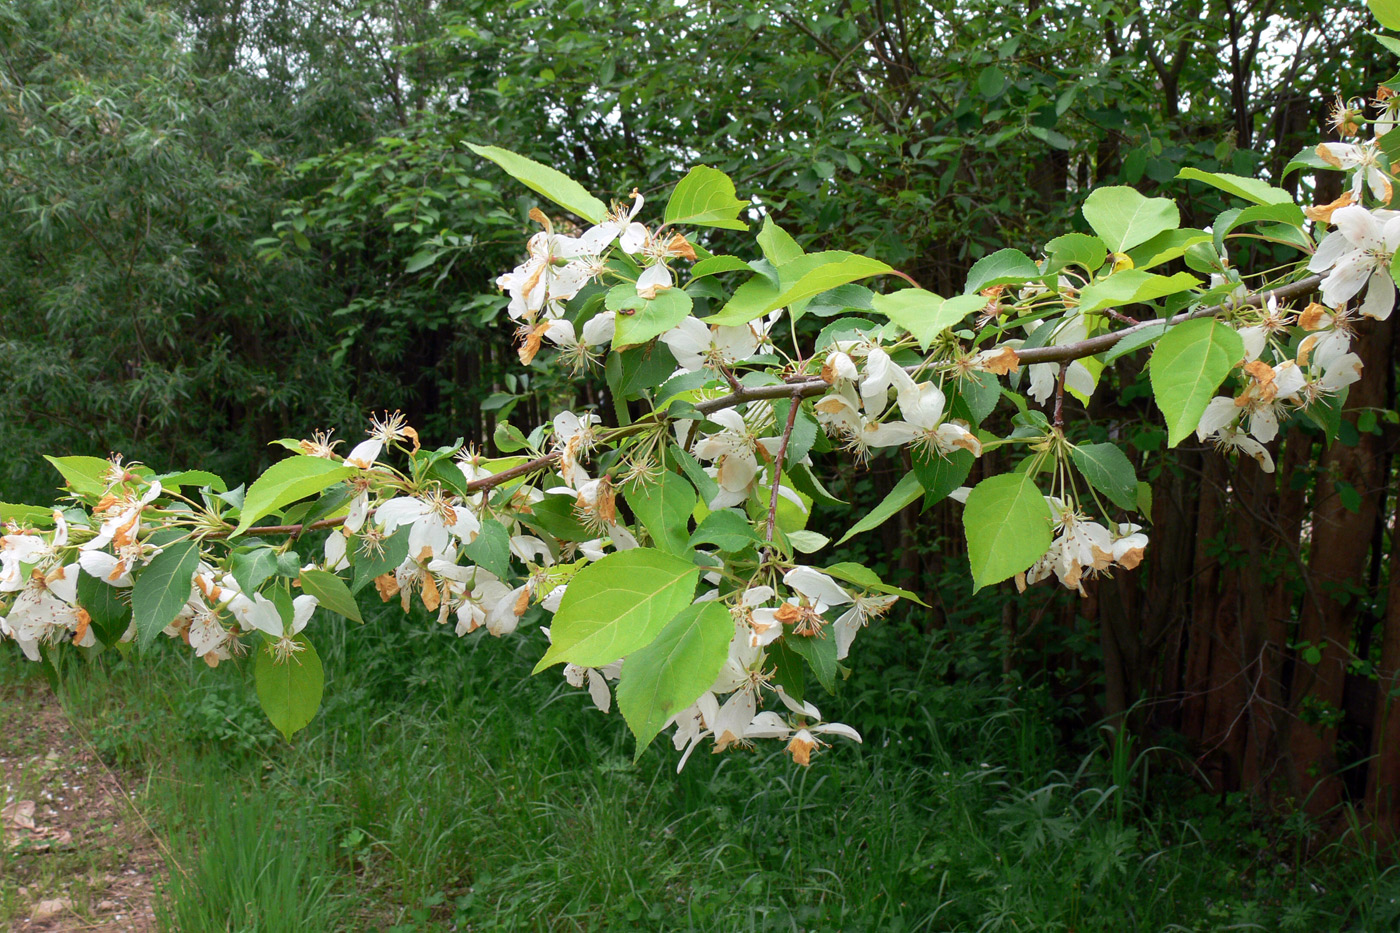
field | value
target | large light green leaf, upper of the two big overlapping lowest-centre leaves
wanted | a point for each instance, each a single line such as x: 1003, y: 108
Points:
x: 617, y: 606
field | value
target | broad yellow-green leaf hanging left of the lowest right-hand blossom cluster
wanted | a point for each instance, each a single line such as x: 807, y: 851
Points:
x: 1009, y: 527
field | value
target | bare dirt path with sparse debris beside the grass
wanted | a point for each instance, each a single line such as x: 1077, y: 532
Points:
x: 75, y: 854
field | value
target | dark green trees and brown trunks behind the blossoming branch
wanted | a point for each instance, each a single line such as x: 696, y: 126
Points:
x: 233, y: 222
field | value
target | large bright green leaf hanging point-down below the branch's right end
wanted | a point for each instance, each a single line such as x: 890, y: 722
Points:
x: 1188, y: 366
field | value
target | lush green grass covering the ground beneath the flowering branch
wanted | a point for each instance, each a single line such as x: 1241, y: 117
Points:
x: 444, y: 789
